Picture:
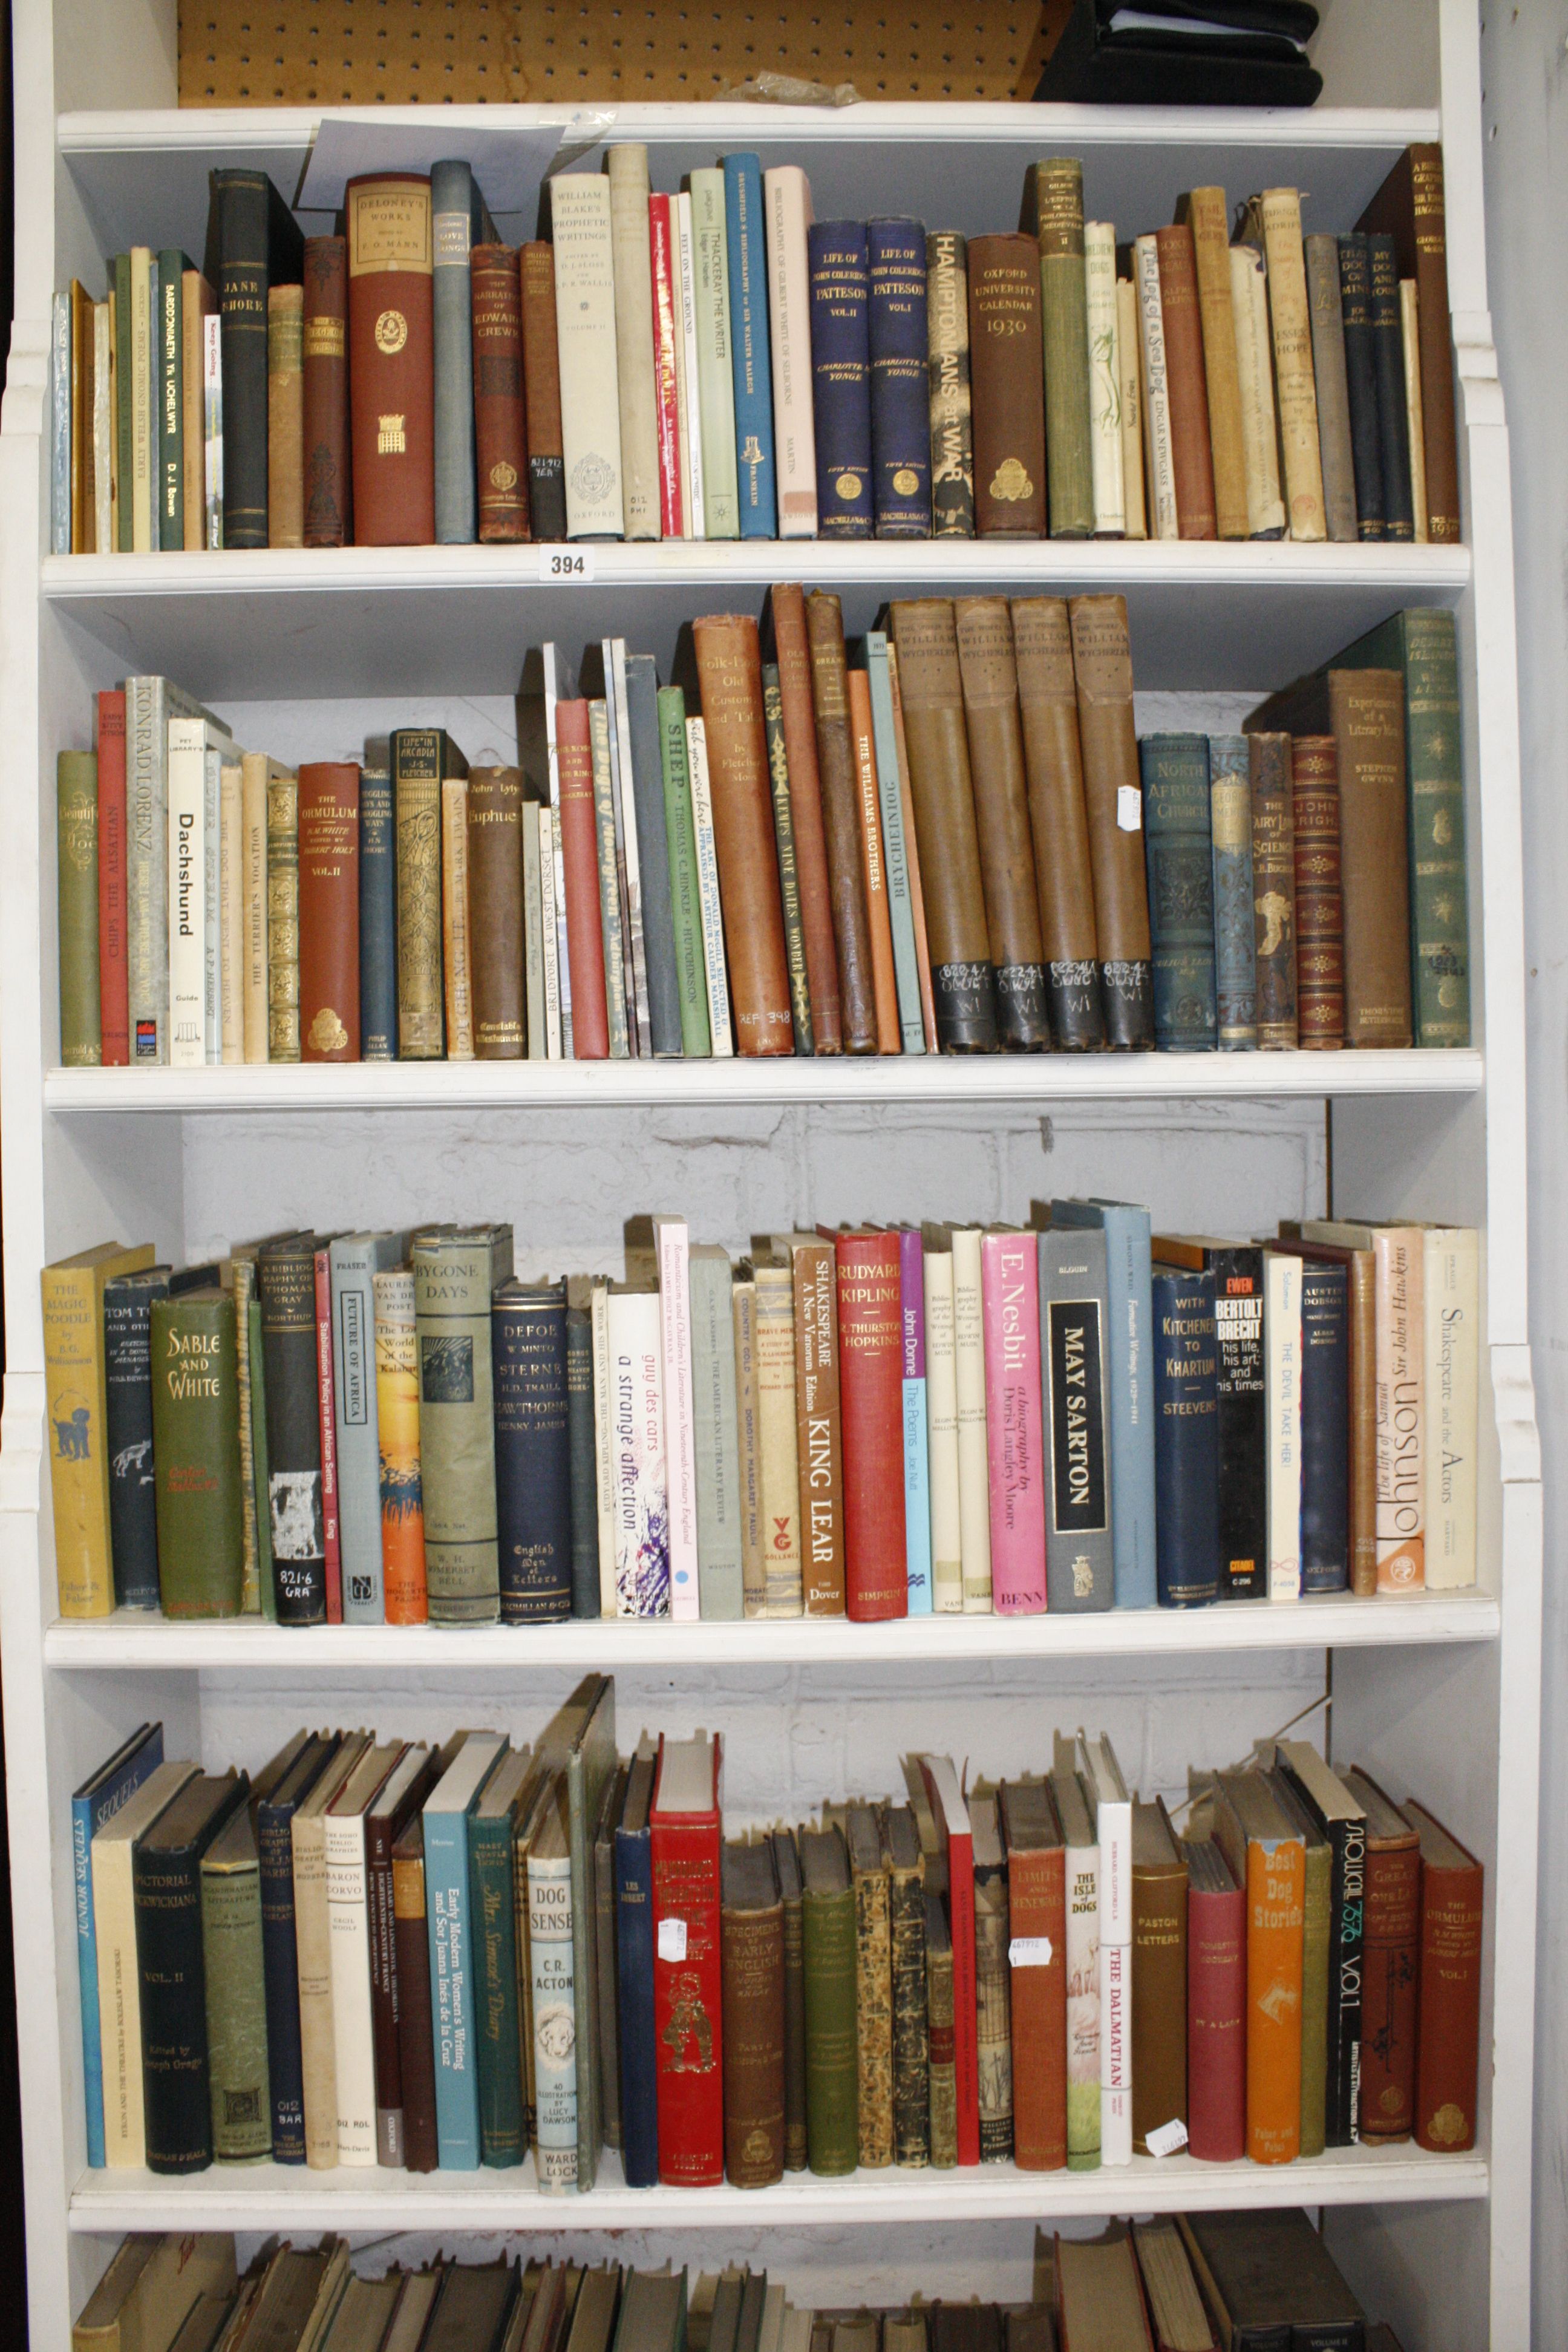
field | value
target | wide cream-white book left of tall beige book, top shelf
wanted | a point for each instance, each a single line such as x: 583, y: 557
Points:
x: 589, y: 363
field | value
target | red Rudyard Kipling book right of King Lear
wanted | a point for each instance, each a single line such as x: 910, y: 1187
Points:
x: 871, y: 1419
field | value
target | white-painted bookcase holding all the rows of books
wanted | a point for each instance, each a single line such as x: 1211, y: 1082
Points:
x: 307, y: 655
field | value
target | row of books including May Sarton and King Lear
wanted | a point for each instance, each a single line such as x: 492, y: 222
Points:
x: 871, y: 1422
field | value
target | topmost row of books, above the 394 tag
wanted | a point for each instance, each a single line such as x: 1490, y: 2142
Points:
x: 721, y: 366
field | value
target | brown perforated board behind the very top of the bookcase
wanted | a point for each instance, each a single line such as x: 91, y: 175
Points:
x: 589, y: 53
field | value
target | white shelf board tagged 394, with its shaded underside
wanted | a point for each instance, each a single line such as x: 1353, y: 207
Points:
x: 337, y: 622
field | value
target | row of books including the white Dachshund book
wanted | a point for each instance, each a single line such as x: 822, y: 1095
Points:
x: 949, y: 838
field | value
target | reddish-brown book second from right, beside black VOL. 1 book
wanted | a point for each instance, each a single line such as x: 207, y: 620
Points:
x: 1391, y: 1963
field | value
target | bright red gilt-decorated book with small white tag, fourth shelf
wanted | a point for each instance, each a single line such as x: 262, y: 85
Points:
x: 688, y: 1998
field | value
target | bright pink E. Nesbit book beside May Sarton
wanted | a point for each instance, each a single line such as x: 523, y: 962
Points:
x: 1010, y: 1302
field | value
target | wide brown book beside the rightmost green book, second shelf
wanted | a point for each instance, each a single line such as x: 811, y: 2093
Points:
x: 1369, y: 723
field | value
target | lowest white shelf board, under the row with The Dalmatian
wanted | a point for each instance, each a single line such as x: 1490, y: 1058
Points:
x: 356, y: 2198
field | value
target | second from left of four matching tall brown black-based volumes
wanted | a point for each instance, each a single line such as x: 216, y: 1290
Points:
x: 1003, y: 820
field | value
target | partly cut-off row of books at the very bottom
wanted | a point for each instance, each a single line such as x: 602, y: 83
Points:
x: 1162, y: 2285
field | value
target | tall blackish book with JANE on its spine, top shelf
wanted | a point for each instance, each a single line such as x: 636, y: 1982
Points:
x: 253, y: 246
